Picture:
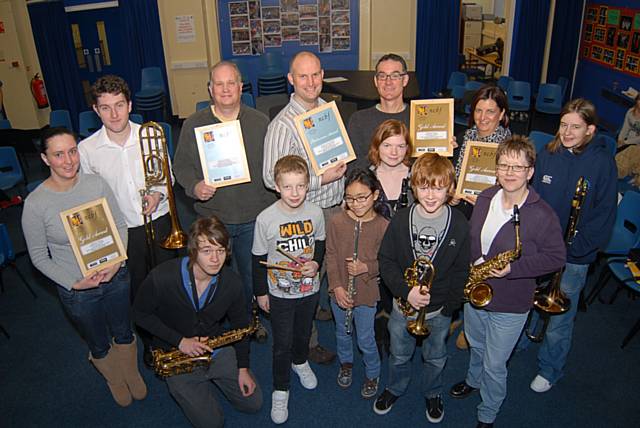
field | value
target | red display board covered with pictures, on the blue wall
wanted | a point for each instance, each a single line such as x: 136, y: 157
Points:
x: 611, y: 37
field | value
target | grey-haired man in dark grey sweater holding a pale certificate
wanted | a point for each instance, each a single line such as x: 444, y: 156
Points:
x: 236, y: 206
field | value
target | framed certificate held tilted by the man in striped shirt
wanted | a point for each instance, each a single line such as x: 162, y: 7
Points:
x: 324, y: 137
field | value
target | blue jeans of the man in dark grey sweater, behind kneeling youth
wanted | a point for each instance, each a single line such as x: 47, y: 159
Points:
x: 241, y: 243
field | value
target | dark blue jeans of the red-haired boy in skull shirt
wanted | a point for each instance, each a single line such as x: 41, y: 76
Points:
x: 403, y: 345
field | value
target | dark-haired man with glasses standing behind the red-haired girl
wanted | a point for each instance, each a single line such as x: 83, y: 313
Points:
x: 390, y: 80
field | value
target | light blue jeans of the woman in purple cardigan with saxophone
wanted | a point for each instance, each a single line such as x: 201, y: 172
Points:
x: 492, y: 337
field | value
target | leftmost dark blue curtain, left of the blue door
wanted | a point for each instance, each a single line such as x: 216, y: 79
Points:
x: 52, y: 37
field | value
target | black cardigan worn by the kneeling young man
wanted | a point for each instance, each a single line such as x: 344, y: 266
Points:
x: 162, y: 307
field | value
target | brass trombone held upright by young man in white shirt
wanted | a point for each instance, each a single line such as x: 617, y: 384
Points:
x: 155, y: 166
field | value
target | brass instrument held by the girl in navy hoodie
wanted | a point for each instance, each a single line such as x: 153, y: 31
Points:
x: 551, y: 300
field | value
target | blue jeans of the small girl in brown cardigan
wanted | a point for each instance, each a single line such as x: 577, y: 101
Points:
x: 363, y: 317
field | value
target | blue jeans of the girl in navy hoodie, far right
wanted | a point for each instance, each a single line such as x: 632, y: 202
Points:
x: 557, y: 340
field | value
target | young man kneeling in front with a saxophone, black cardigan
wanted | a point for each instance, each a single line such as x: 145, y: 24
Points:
x: 184, y: 301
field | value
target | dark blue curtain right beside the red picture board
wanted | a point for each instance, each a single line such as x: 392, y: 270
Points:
x: 564, y: 41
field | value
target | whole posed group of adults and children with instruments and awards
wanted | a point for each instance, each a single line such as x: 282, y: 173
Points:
x: 364, y: 224
